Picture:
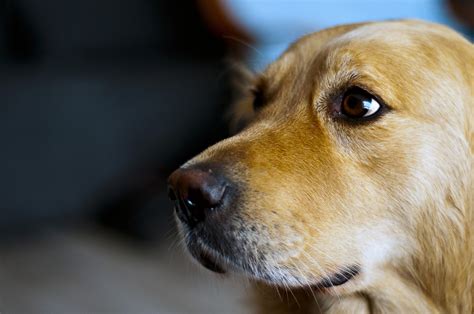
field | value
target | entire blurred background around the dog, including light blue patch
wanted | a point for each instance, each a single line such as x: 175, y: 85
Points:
x: 99, y: 101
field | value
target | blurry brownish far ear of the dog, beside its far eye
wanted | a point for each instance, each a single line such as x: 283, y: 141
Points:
x: 241, y: 111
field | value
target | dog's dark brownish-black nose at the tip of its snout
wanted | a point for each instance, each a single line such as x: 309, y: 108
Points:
x: 196, y: 193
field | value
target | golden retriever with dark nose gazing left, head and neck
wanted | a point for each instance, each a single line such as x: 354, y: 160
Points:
x: 349, y: 188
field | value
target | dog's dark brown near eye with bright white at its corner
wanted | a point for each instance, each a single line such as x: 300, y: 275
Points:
x: 357, y: 103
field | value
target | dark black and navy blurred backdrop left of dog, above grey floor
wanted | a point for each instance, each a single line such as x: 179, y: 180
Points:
x: 100, y: 100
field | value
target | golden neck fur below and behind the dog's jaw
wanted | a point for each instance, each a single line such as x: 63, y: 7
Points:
x: 437, y: 278
